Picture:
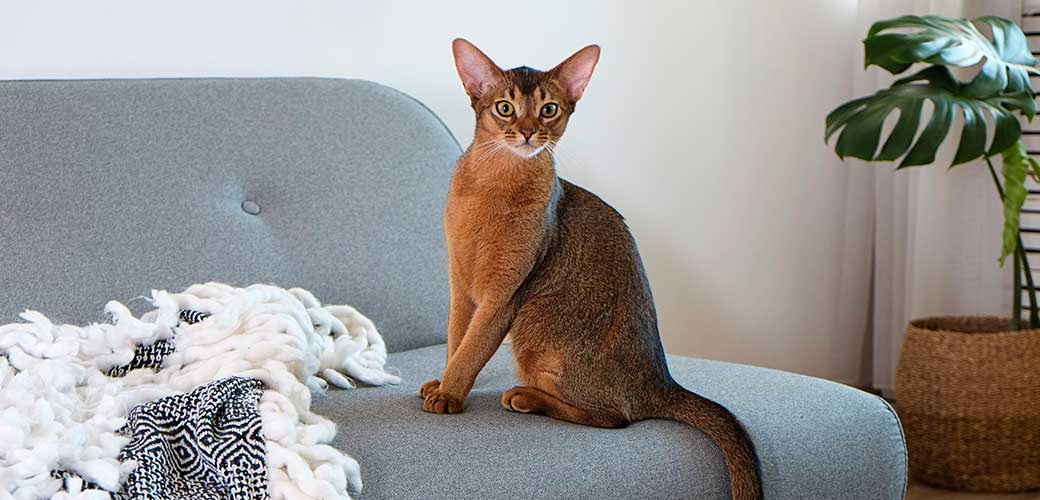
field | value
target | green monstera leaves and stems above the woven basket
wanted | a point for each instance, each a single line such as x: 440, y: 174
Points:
x: 990, y: 104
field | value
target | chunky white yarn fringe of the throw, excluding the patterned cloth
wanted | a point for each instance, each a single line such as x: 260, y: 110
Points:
x: 62, y: 412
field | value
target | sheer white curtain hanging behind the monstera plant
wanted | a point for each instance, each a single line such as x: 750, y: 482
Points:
x: 937, y: 232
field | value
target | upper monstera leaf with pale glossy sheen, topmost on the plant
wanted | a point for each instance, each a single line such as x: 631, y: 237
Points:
x: 1006, y: 63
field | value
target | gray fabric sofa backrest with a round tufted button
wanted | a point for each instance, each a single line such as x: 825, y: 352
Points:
x: 111, y: 187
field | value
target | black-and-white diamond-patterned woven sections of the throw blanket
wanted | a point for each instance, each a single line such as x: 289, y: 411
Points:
x: 207, y: 444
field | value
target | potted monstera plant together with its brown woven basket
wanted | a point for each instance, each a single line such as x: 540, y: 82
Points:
x: 960, y: 376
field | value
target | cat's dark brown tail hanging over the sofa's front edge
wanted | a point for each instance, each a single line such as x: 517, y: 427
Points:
x: 724, y: 430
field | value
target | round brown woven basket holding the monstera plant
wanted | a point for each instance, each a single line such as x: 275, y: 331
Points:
x: 968, y: 392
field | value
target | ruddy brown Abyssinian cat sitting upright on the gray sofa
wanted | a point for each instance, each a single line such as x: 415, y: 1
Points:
x: 553, y: 266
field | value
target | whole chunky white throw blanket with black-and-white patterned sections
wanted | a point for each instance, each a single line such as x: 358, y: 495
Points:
x: 65, y: 420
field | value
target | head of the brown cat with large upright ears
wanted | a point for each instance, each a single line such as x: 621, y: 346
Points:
x: 523, y: 111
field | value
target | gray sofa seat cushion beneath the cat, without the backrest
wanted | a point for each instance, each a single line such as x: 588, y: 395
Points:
x: 817, y: 441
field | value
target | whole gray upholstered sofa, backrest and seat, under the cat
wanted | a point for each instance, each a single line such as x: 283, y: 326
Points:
x: 112, y: 188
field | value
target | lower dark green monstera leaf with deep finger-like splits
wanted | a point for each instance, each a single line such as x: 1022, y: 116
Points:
x: 861, y: 121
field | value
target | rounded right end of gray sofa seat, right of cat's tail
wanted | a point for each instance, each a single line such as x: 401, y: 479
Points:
x: 816, y: 439
